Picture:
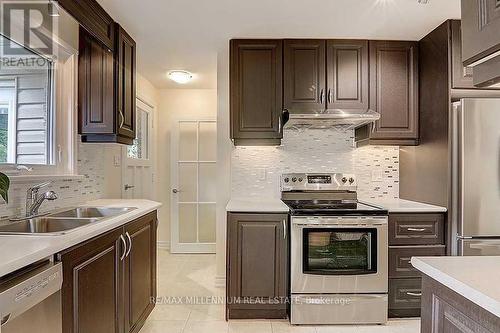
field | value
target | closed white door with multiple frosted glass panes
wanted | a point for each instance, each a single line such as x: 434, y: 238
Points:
x: 194, y: 155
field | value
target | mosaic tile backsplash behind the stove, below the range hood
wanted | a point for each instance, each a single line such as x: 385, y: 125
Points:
x: 255, y: 171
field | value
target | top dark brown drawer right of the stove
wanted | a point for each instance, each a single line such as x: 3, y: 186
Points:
x: 416, y: 229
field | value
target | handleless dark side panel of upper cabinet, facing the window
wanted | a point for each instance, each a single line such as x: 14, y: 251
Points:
x: 95, y: 87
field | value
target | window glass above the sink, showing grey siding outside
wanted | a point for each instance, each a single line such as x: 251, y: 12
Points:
x: 27, y: 109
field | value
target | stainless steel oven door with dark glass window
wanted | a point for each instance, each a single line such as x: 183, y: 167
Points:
x: 339, y: 255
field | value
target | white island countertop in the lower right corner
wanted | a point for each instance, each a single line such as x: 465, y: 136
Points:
x: 475, y: 278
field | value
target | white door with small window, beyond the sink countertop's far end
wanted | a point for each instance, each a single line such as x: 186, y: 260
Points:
x: 137, y: 166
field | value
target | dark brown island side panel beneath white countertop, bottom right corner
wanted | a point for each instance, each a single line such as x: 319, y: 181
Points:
x: 445, y: 311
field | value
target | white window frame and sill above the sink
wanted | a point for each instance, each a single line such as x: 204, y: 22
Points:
x: 64, y: 140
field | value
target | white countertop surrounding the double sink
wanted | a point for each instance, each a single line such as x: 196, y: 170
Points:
x: 19, y: 251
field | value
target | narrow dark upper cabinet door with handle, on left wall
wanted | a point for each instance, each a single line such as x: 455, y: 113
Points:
x: 126, y: 83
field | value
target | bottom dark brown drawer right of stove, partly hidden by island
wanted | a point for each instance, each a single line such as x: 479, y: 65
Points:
x: 405, y: 297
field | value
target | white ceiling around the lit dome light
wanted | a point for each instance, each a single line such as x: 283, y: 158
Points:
x: 186, y: 34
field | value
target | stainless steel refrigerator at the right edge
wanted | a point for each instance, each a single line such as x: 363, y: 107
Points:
x: 475, y: 168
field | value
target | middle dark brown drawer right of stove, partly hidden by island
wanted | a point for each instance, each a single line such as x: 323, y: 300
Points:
x: 399, y: 259
